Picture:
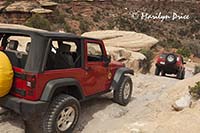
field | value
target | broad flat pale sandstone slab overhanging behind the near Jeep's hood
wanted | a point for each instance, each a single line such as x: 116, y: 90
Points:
x: 123, y: 39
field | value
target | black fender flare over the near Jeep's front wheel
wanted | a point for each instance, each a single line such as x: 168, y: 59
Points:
x: 118, y: 77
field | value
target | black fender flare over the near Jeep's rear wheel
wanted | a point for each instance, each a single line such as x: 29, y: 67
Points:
x: 53, y: 85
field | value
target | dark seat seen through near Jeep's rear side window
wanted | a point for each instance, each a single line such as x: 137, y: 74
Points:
x: 63, y: 58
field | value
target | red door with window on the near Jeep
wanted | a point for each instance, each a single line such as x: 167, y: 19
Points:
x: 97, y: 72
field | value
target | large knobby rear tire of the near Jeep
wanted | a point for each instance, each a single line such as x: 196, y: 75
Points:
x: 59, y: 104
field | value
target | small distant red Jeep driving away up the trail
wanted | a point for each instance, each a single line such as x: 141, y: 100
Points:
x: 169, y: 63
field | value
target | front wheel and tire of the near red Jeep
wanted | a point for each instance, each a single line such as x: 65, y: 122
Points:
x: 119, y: 94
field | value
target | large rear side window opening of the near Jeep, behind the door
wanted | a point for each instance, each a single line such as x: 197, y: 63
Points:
x: 63, y: 54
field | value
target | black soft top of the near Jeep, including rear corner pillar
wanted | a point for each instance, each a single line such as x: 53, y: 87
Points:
x: 39, y: 43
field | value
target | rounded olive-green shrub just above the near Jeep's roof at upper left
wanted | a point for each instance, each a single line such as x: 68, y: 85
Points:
x: 37, y: 21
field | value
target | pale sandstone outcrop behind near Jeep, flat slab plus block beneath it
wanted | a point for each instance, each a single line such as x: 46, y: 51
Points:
x: 121, y: 45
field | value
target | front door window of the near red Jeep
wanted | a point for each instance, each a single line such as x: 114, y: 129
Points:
x: 95, y: 52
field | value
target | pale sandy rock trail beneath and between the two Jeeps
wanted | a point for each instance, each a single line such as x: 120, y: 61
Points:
x: 101, y: 115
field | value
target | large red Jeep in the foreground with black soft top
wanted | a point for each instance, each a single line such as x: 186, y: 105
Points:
x: 53, y: 72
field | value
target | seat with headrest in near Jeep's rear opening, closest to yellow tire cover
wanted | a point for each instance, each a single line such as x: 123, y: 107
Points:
x: 12, y: 52
